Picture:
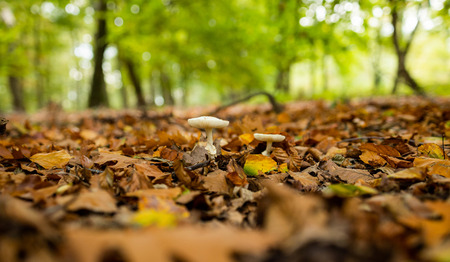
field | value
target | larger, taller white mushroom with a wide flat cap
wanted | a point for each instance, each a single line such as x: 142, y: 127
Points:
x: 208, y: 123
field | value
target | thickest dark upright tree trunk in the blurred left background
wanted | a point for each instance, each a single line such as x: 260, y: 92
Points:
x: 98, y: 95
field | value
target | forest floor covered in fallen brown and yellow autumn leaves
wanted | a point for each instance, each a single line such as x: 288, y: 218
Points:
x: 367, y: 180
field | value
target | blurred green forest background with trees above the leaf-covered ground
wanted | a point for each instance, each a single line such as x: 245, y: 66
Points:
x: 129, y: 53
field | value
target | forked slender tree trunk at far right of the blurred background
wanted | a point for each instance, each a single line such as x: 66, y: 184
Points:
x: 402, y: 72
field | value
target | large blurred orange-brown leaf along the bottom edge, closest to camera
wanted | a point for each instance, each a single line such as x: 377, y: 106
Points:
x: 185, y: 243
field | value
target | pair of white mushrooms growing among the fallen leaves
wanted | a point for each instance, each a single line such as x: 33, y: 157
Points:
x: 209, y: 123
